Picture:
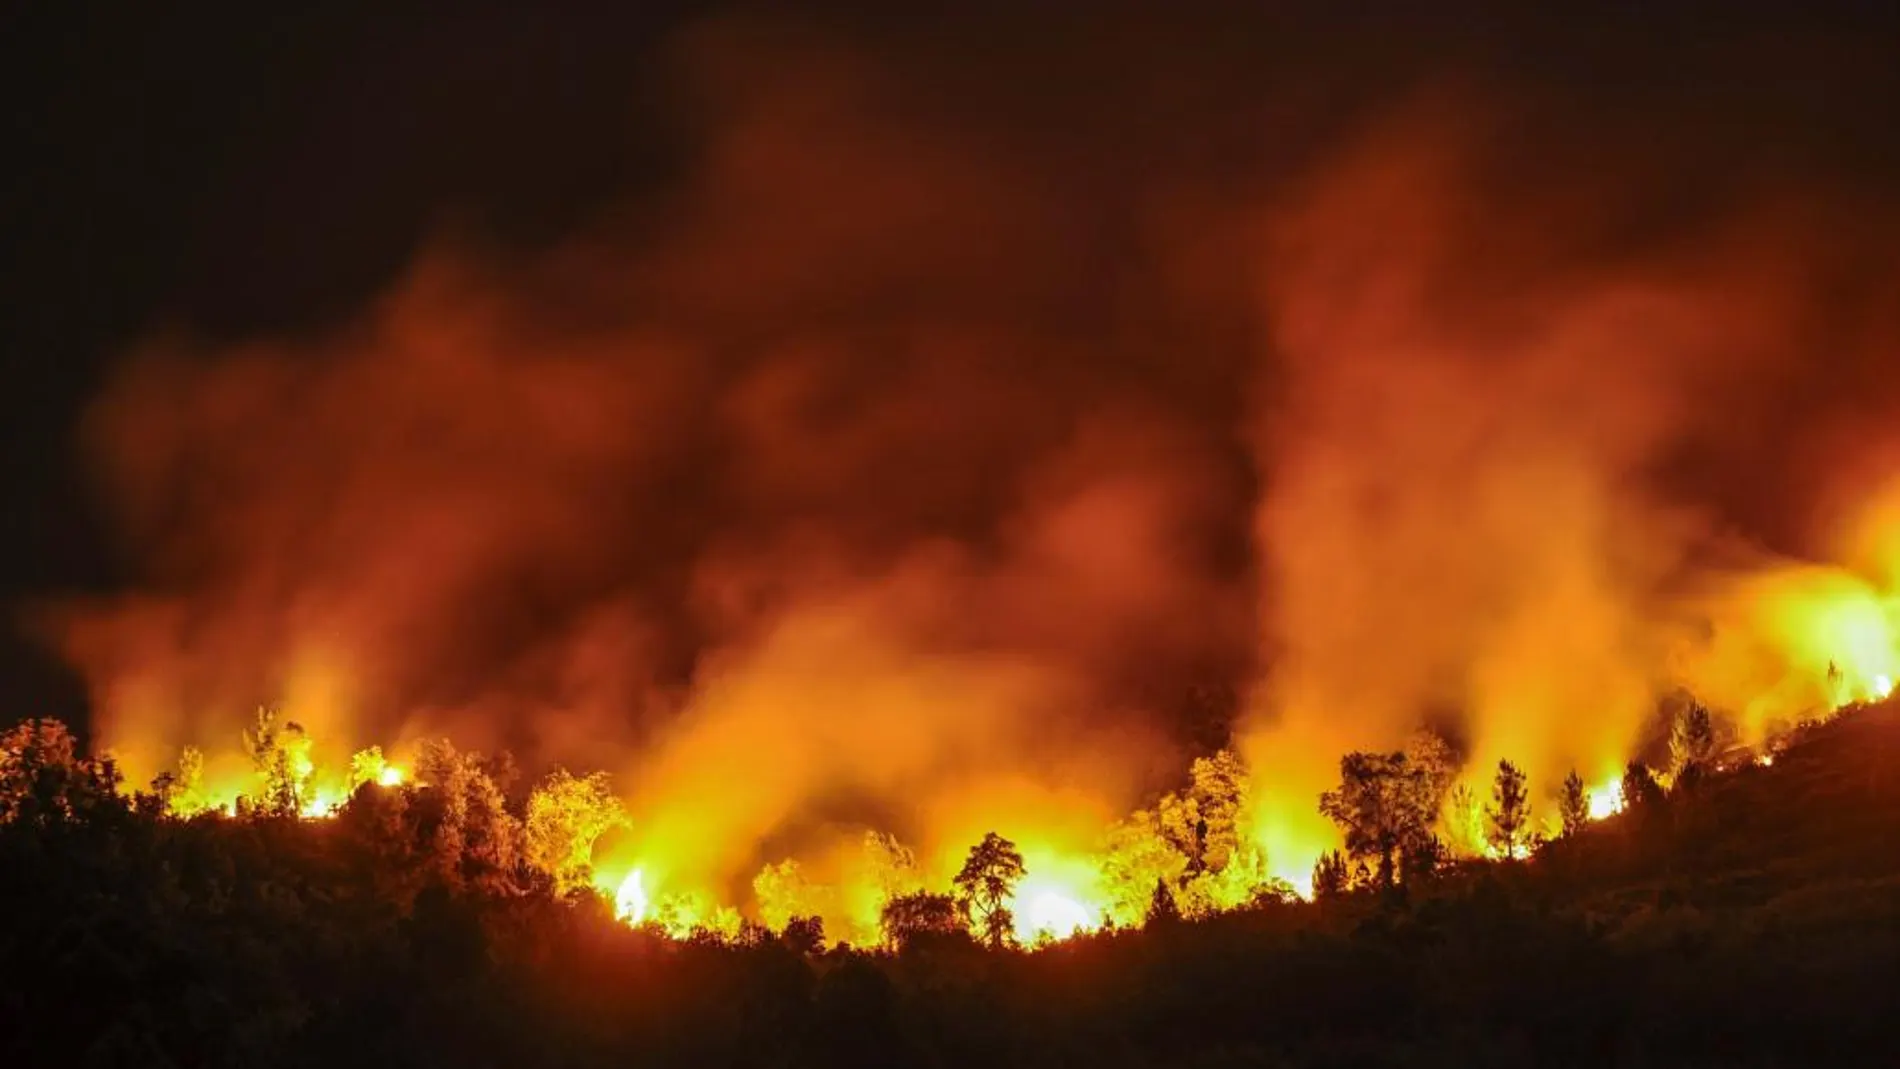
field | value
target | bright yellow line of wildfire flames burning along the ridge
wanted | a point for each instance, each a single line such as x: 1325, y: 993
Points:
x: 1219, y: 842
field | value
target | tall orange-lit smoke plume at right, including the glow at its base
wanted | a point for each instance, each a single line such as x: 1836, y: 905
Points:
x: 1460, y: 445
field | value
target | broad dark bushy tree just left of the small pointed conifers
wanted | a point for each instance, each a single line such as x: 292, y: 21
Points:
x: 1386, y: 806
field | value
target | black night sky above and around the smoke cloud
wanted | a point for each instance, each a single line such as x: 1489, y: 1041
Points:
x: 254, y: 170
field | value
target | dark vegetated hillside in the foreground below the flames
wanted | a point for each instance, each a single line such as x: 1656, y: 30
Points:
x: 1743, y: 918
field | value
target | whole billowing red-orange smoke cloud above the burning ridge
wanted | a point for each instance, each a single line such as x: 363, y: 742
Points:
x: 915, y: 453
